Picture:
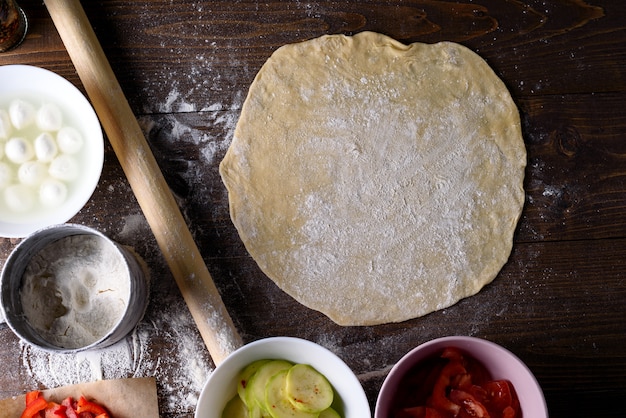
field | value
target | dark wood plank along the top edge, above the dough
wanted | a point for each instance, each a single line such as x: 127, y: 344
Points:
x: 202, y: 51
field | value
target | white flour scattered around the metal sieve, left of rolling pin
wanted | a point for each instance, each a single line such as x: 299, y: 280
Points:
x: 165, y: 344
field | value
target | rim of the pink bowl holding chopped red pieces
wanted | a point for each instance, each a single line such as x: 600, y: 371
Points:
x: 462, y: 342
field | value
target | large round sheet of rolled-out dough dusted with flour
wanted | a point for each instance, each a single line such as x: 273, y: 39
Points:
x: 373, y: 181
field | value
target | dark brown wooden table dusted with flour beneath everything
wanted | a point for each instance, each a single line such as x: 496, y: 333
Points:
x: 185, y: 66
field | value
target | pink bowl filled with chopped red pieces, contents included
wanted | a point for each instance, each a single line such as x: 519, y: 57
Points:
x: 460, y: 377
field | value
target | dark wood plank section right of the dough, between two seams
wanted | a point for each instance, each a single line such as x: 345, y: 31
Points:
x: 575, y: 180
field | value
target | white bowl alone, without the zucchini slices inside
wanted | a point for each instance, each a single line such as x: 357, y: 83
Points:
x: 222, y: 383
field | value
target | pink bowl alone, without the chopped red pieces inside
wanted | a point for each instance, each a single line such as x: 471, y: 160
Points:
x: 499, y: 362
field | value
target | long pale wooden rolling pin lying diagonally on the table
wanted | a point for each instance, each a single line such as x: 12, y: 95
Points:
x: 145, y: 178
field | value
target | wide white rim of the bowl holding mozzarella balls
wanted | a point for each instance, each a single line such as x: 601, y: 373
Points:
x: 30, y: 79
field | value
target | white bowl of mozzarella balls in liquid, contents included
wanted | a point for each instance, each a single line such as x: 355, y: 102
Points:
x: 51, y: 150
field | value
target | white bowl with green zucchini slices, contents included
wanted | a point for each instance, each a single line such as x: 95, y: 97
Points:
x: 283, y: 377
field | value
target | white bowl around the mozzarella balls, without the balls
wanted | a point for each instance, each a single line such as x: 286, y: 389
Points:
x: 41, y: 86
